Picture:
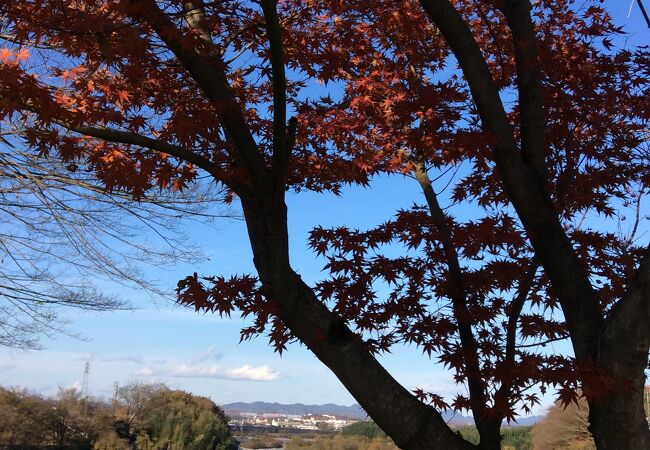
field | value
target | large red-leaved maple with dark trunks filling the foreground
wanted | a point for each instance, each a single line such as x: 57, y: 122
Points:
x: 539, y: 132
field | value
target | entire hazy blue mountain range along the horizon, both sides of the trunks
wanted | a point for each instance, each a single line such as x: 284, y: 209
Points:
x: 353, y: 412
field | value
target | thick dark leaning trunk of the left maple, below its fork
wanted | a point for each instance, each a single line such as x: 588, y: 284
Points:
x: 411, y: 424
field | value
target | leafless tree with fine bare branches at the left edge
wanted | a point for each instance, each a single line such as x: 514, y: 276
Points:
x: 59, y: 228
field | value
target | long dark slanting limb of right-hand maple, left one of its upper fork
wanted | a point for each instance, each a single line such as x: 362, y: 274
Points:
x: 524, y: 188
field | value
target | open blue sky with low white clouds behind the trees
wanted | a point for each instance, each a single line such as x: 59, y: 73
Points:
x: 200, y: 353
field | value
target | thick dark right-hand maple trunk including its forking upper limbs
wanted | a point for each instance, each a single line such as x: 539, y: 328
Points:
x: 621, y: 350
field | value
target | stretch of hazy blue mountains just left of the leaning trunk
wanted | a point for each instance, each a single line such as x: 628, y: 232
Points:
x: 354, y: 411
